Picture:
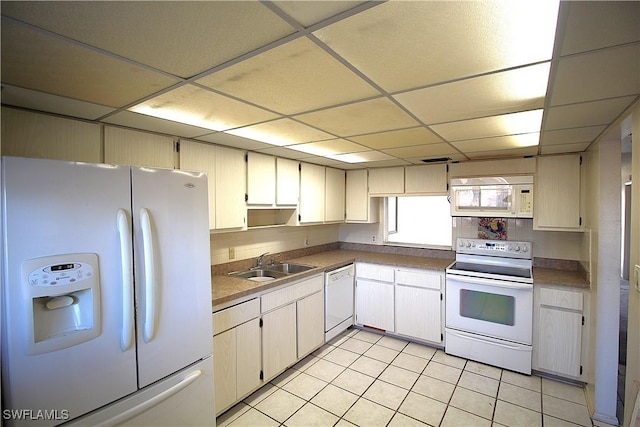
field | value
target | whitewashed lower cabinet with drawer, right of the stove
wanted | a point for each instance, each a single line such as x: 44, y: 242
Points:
x: 558, y: 331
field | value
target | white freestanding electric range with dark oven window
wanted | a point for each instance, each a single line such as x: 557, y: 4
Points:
x: 489, y: 304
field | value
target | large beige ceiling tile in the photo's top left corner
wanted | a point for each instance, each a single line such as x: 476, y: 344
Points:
x: 181, y: 38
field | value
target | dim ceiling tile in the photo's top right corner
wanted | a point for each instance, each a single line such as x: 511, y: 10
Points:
x: 594, y: 25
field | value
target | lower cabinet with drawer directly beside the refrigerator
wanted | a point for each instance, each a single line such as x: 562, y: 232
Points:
x: 236, y: 353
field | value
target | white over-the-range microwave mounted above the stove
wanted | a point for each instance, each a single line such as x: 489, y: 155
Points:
x: 506, y: 197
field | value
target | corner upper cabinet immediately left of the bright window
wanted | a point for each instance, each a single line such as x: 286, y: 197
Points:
x: 359, y: 206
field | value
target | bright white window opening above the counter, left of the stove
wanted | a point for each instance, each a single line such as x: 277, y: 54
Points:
x: 418, y: 221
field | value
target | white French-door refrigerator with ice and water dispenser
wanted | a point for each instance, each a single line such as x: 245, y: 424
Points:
x: 107, y: 297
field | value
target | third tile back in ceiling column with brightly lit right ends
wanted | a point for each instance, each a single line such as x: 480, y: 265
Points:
x: 507, y: 124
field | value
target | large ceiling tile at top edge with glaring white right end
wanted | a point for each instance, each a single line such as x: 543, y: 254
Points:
x: 404, y: 45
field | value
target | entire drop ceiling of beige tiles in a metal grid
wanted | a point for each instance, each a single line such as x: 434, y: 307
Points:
x: 348, y: 84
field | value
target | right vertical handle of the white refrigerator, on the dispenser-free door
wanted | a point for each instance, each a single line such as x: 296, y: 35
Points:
x: 149, y: 274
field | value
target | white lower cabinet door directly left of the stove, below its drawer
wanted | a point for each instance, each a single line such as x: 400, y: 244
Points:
x: 418, y: 313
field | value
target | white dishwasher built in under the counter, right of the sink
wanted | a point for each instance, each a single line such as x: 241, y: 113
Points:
x: 339, y: 294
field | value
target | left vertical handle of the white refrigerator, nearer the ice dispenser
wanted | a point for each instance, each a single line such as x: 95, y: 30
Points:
x: 124, y: 230
